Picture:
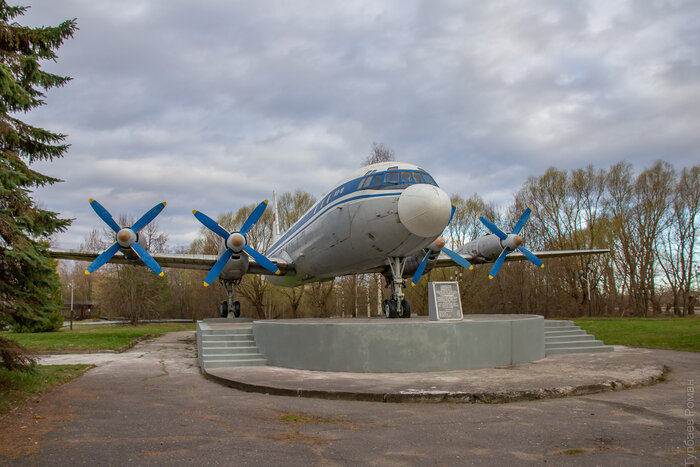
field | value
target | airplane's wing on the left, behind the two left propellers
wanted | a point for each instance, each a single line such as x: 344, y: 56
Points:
x: 168, y: 260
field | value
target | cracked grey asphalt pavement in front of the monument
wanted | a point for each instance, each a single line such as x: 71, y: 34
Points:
x: 150, y: 406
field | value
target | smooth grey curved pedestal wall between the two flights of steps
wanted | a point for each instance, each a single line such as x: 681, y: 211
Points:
x: 400, y: 345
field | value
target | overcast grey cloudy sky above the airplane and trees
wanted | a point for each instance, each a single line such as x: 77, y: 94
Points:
x: 211, y: 105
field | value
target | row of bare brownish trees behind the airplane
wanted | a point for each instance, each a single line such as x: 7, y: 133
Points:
x: 647, y: 220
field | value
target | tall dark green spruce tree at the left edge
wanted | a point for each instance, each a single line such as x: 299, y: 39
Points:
x: 29, y: 286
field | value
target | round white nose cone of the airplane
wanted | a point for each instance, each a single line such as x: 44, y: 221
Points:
x: 424, y: 210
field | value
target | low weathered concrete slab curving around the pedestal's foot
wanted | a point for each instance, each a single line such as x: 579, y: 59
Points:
x: 552, y: 377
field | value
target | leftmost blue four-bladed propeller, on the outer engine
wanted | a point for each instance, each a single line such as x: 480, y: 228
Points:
x: 126, y: 237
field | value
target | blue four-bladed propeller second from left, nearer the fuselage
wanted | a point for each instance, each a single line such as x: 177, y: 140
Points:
x: 235, y: 242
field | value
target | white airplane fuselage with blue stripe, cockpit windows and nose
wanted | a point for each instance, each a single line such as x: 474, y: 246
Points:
x: 384, y: 210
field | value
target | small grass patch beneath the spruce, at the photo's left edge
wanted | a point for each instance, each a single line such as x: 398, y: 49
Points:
x: 18, y: 386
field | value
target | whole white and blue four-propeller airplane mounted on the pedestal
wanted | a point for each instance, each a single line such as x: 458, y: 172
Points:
x: 384, y: 218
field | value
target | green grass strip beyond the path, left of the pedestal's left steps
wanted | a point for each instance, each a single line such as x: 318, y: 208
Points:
x: 97, y: 337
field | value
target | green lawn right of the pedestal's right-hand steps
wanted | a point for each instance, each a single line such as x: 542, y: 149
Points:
x: 651, y: 333
